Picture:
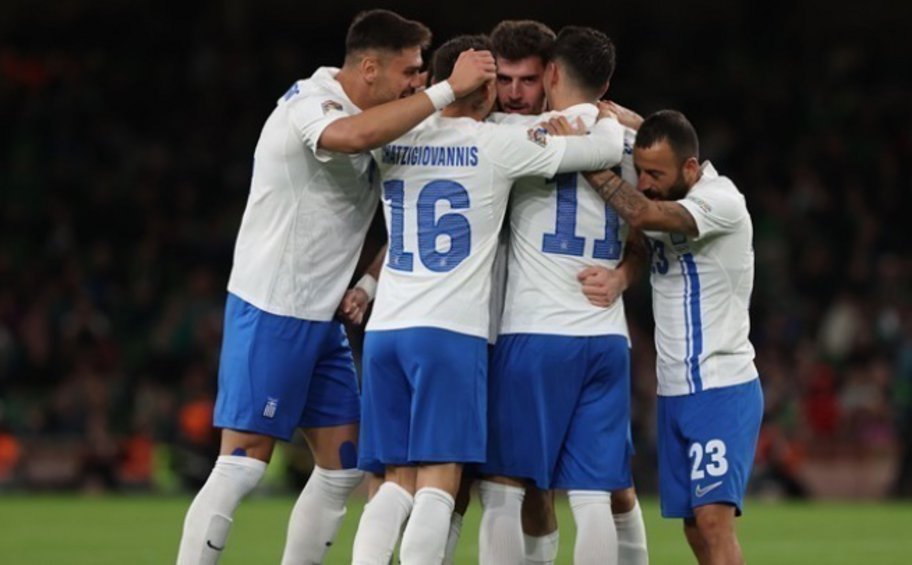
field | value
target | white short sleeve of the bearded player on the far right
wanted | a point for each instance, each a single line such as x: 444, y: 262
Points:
x: 716, y: 206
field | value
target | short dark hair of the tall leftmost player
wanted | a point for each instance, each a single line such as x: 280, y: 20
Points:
x: 383, y: 29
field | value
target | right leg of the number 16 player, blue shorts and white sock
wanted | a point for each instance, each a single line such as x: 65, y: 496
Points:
x: 448, y: 374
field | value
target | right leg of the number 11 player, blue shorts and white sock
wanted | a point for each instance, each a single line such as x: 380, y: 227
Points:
x: 596, y: 454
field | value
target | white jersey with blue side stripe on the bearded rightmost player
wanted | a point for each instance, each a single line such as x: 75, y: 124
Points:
x: 701, y: 290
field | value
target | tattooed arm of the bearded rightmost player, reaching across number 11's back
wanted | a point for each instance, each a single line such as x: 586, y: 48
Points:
x: 637, y: 210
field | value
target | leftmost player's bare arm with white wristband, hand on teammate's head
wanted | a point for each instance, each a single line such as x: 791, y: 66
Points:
x: 386, y: 122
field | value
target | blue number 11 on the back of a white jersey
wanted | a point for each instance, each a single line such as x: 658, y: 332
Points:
x: 564, y: 240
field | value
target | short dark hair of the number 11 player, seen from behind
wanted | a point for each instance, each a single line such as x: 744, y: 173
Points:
x: 588, y: 56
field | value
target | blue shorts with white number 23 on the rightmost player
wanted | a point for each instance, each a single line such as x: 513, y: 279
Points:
x: 706, y: 447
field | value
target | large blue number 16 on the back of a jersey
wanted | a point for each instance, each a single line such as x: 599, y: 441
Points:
x: 454, y: 225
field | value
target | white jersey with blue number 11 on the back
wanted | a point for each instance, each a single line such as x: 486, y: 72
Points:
x: 558, y: 227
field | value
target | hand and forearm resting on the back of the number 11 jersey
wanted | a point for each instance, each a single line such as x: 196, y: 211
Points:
x: 603, y: 286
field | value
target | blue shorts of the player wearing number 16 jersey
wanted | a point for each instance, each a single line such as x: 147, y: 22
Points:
x: 424, y: 397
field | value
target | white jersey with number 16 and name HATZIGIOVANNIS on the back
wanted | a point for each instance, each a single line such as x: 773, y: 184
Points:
x: 445, y: 190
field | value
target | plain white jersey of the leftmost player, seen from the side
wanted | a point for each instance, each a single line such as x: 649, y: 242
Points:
x: 308, y: 209
